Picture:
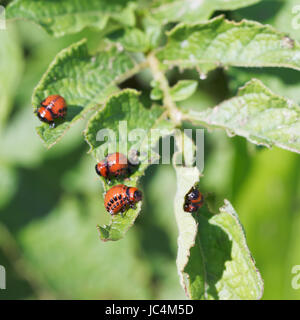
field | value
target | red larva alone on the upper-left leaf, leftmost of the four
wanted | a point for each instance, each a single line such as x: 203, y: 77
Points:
x: 53, y: 107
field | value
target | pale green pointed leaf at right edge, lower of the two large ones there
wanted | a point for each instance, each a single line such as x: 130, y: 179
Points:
x: 257, y: 114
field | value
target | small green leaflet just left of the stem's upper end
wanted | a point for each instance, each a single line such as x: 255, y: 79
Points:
x: 131, y: 39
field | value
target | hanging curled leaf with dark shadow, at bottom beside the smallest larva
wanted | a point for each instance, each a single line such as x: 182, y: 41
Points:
x: 213, y: 259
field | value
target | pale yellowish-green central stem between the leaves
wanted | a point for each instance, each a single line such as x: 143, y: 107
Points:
x: 168, y: 102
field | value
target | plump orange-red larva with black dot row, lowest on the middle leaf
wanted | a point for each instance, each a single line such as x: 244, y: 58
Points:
x: 120, y: 197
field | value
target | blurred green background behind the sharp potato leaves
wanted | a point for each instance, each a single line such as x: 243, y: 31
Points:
x: 51, y: 201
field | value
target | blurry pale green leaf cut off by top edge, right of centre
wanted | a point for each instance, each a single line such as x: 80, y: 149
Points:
x: 194, y: 10
